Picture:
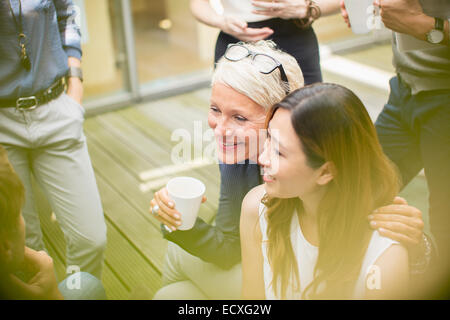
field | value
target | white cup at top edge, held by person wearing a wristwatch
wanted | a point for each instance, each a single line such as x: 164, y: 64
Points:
x: 360, y: 14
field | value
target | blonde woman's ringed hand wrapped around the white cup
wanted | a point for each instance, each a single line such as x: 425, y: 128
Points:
x: 167, y: 214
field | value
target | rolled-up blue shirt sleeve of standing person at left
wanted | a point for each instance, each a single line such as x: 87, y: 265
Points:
x: 66, y: 13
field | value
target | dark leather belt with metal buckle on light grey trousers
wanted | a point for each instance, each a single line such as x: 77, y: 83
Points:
x: 32, y: 102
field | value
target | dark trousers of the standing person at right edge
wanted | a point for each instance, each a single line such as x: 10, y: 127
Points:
x: 414, y: 131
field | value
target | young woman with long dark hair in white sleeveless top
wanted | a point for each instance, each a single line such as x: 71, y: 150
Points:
x: 324, y: 173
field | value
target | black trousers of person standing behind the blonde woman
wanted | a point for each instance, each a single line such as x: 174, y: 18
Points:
x: 300, y: 43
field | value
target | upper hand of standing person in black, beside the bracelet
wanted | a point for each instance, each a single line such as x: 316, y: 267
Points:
x: 284, y: 9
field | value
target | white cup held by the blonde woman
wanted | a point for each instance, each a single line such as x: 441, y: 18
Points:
x: 187, y: 194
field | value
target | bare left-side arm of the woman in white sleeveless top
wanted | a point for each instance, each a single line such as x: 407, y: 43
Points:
x: 251, y: 240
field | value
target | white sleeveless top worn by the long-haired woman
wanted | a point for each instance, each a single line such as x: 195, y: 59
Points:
x: 309, y: 253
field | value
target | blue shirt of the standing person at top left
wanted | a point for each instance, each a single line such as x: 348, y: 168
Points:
x: 52, y: 37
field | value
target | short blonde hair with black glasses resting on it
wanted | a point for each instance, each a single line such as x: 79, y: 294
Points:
x: 265, y: 89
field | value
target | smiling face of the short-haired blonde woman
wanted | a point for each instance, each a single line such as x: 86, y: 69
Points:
x: 238, y: 124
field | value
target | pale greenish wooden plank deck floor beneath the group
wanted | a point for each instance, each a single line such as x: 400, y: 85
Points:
x: 126, y: 143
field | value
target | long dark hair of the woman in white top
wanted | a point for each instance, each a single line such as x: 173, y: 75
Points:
x: 333, y: 126
